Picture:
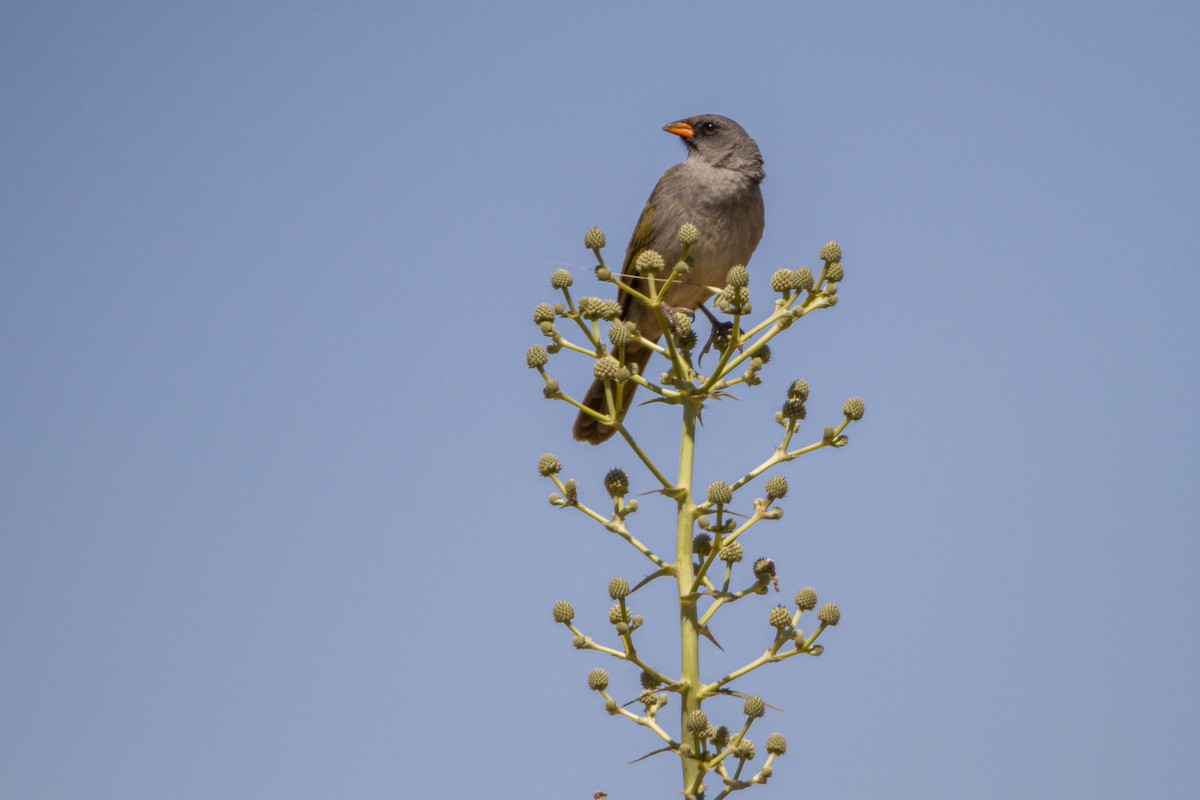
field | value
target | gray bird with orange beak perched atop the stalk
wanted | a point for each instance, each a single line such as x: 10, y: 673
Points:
x: 717, y: 190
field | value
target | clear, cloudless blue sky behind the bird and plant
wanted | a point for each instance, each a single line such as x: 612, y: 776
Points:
x: 271, y: 525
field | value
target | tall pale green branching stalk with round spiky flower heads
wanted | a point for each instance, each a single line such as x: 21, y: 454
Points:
x: 716, y: 756
